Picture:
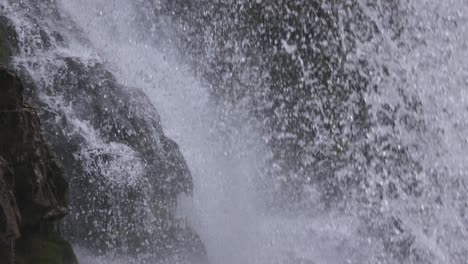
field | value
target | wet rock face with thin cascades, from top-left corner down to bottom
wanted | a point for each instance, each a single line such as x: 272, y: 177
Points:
x: 125, y: 174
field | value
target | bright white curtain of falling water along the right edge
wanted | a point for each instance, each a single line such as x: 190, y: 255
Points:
x: 431, y: 64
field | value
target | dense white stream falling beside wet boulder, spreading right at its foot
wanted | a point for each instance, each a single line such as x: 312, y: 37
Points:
x: 224, y: 155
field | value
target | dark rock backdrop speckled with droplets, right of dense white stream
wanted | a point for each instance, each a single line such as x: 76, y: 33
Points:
x: 292, y: 65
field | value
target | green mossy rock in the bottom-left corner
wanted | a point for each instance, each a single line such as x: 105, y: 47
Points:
x: 40, y: 249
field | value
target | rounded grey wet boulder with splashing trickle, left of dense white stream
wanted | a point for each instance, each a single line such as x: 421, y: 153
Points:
x: 125, y: 173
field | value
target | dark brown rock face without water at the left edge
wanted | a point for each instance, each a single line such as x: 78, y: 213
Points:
x: 33, y: 190
